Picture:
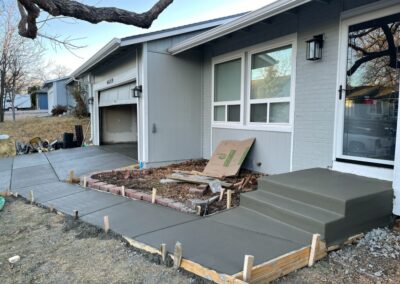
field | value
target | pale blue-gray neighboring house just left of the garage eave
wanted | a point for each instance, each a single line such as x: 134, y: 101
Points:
x: 57, y: 93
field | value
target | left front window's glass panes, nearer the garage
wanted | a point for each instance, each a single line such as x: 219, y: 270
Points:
x: 228, y: 91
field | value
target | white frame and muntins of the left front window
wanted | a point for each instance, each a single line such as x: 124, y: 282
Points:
x: 226, y: 123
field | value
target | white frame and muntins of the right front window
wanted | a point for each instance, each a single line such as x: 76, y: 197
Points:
x: 271, y: 46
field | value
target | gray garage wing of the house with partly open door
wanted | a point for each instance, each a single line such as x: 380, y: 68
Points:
x: 163, y: 121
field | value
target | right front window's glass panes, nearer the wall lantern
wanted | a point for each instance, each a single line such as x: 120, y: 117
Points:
x: 270, y: 86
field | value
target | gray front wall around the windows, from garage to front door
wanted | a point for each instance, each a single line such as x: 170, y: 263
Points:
x: 315, y: 89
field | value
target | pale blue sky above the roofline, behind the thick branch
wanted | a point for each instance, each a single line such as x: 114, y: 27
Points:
x: 93, y: 37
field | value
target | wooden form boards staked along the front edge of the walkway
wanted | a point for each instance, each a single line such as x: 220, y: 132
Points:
x: 262, y: 273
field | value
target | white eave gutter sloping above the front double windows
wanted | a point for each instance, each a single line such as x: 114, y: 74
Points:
x: 268, y: 11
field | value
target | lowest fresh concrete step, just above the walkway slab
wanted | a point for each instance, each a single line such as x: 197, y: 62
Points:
x: 296, y: 213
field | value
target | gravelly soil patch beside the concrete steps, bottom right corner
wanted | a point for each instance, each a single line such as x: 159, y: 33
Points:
x: 375, y: 259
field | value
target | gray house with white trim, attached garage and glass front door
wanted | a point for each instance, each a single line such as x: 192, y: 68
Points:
x: 315, y: 82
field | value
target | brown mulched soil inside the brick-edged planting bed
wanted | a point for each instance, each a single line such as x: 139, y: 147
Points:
x: 146, y: 180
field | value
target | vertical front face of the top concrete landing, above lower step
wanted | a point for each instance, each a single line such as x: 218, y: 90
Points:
x: 315, y: 198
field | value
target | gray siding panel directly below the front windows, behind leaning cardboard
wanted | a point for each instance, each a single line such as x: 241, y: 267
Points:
x: 270, y: 153
